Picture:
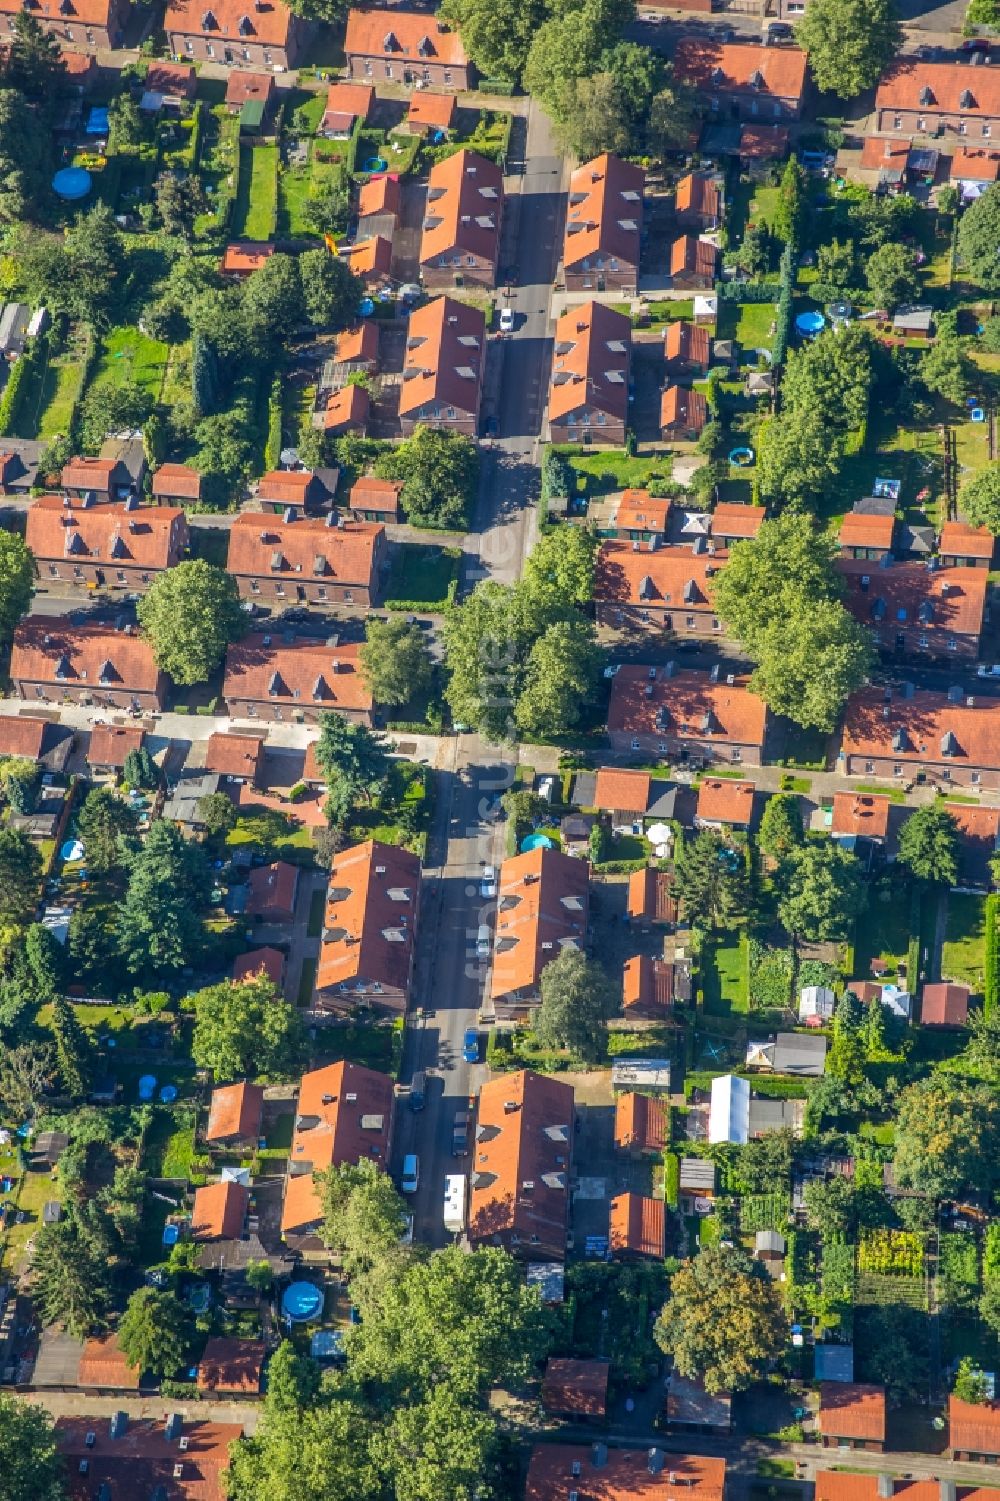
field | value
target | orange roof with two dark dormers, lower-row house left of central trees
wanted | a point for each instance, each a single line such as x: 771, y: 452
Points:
x: 324, y: 676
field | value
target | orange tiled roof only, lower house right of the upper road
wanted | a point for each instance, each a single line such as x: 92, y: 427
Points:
x: 591, y: 362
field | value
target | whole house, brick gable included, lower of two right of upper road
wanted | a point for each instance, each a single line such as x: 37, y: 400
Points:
x: 589, y: 394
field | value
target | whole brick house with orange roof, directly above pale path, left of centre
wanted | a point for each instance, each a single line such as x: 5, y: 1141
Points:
x: 298, y: 679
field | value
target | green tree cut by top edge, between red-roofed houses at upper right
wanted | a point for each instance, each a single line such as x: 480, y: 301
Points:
x: 851, y: 43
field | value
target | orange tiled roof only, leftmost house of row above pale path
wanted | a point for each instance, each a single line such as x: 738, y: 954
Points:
x: 92, y: 654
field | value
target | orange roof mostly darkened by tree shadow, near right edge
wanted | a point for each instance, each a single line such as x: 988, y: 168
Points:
x: 954, y: 598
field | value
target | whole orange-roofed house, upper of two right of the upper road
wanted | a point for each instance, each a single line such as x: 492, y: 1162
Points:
x: 604, y: 227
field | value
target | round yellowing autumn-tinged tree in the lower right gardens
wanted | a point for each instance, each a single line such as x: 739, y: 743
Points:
x: 724, y: 1323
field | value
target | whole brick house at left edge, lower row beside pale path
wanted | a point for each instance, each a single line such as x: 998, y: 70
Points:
x: 88, y: 664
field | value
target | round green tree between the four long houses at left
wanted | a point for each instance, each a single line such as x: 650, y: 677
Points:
x: 191, y: 615
